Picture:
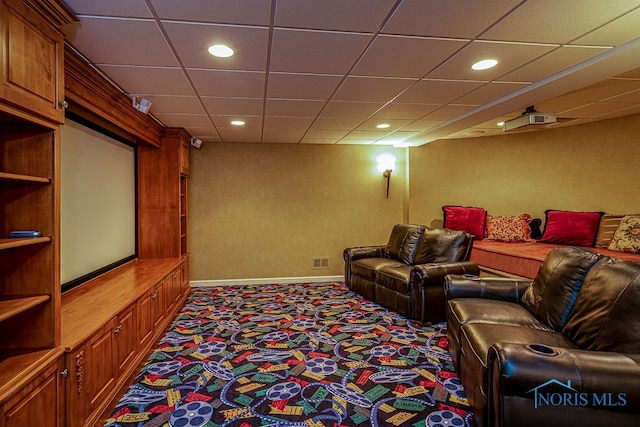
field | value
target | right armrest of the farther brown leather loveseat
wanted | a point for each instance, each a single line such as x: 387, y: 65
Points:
x: 426, y: 288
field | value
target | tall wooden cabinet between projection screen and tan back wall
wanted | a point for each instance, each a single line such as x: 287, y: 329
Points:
x: 162, y: 196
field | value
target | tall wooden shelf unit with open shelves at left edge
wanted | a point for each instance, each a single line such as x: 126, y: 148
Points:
x: 30, y: 114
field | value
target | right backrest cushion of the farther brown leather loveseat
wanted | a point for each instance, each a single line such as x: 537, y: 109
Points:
x: 443, y: 245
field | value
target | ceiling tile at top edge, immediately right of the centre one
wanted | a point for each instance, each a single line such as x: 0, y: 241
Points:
x: 451, y: 18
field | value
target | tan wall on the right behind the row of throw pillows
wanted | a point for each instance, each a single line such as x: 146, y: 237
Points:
x: 595, y: 166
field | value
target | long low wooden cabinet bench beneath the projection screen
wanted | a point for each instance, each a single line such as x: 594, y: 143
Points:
x: 108, y: 325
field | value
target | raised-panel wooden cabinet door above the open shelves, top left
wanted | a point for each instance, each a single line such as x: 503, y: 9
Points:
x: 33, y: 57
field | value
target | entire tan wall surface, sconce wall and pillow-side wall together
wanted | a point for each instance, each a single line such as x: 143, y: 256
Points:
x: 265, y: 210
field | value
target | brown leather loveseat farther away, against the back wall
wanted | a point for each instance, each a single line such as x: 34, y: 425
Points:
x: 407, y: 274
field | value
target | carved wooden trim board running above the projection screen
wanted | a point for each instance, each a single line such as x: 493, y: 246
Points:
x: 90, y: 95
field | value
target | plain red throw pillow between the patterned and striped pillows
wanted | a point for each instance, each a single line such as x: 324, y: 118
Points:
x: 571, y: 228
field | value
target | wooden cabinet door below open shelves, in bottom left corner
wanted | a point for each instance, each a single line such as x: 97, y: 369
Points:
x: 38, y: 403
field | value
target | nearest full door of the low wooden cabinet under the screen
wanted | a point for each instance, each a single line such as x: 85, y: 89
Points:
x: 100, y: 370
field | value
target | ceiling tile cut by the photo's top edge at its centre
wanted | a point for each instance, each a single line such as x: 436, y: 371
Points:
x: 352, y: 15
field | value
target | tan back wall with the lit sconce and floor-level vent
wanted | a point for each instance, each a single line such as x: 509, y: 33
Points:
x: 266, y: 210
